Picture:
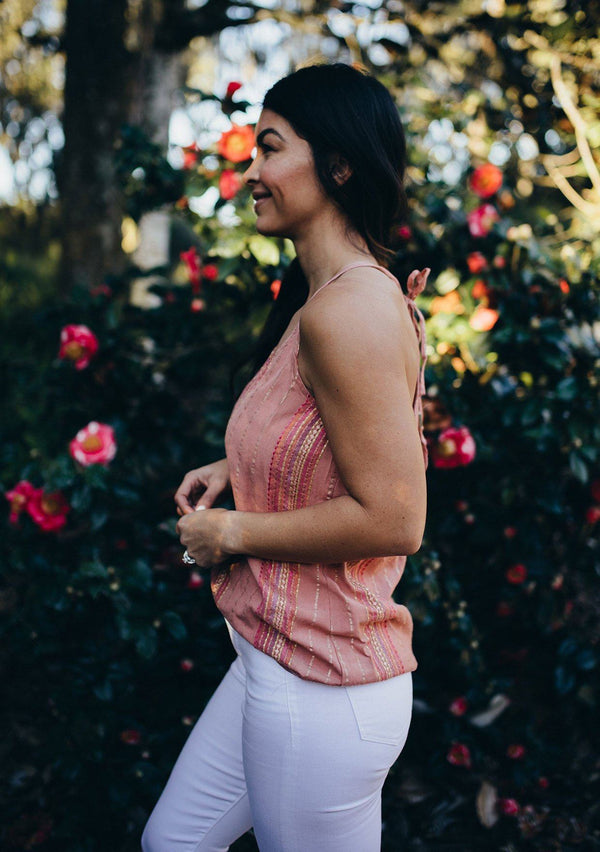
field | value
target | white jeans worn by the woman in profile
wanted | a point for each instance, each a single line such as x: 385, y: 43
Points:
x: 301, y: 762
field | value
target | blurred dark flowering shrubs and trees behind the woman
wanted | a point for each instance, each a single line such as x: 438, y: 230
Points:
x: 123, y: 213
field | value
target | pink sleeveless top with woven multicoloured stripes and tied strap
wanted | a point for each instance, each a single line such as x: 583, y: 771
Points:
x: 331, y: 623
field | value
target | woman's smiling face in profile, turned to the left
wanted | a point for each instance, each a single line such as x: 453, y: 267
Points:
x: 283, y: 180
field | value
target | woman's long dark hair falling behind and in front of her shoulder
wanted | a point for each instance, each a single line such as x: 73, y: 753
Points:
x: 342, y: 111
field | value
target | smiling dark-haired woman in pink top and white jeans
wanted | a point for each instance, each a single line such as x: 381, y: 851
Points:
x: 326, y: 460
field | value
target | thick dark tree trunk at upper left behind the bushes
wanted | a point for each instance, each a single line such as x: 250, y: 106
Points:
x: 95, y: 107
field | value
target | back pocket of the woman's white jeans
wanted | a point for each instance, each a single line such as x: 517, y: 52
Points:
x: 383, y: 709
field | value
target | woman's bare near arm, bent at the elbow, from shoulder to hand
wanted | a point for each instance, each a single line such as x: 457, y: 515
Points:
x: 356, y: 351
